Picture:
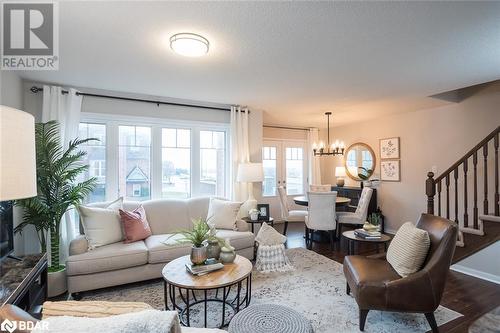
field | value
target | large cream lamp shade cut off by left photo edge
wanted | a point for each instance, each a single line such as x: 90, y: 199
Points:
x: 17, y: 154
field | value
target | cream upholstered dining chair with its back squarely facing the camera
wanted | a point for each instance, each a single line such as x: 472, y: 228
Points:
x: 321, y: 215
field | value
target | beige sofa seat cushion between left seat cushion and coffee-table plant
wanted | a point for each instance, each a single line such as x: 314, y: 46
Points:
x: 164, y: 248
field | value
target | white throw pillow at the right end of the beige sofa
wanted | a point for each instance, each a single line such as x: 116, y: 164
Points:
x: 223, y: 213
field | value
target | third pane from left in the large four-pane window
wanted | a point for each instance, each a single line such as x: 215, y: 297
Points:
x: 176, y: 163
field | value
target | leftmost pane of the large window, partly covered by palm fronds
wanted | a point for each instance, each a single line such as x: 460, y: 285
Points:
x: 95, y: 158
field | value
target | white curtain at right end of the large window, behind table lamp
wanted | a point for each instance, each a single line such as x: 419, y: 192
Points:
x: 240, y: 152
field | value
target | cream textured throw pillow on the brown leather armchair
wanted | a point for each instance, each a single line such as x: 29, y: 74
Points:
x: 408, y: 249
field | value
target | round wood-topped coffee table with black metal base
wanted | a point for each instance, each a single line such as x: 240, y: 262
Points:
x: 178, y: 282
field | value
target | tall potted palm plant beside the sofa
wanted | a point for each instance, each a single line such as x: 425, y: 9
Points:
x: 57, y: 191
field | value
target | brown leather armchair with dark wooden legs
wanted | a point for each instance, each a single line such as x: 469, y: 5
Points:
x: 376, y: 285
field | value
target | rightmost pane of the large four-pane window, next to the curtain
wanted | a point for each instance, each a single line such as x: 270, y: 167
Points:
x: 212, y: 163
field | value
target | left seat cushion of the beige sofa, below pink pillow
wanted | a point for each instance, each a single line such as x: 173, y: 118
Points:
x: 108, y: 258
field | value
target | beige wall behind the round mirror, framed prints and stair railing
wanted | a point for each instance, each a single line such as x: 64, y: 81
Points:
x: 434, y: 137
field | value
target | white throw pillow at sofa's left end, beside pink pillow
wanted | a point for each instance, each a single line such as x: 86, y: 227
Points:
x: 102, y: 225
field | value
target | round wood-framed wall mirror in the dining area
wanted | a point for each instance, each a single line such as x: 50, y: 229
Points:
x: 359, y: 161
